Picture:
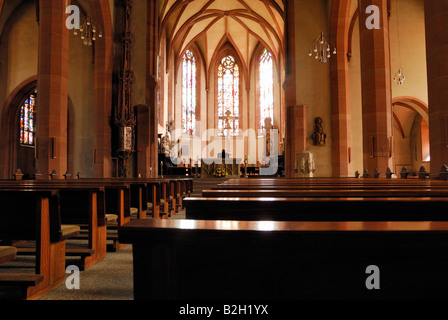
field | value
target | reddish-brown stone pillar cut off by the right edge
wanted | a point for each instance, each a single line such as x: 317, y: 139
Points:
x: 436, y: 23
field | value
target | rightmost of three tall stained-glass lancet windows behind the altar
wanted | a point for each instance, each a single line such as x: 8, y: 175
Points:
x: 266, y: 88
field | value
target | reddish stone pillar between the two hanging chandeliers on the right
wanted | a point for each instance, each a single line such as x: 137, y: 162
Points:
x: 376, y: 89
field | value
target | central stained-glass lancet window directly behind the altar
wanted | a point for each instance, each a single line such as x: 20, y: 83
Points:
x: 228, y: 97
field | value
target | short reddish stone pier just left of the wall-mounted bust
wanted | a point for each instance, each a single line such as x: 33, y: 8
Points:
x: 295, y: 136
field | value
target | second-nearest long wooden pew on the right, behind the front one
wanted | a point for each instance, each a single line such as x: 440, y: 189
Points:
x: 319, y: 209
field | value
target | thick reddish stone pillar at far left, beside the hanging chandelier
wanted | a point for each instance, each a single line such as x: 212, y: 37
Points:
x: 52, y: 88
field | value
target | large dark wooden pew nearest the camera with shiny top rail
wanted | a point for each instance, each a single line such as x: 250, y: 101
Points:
x: 262, y: 260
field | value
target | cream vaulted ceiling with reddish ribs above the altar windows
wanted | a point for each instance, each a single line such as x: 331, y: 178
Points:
x: 207, y: 22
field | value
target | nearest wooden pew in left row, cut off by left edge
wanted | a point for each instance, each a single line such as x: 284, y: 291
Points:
x: 33, y: 215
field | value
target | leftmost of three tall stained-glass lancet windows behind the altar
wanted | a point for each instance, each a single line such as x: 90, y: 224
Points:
x: 189, y: 93
